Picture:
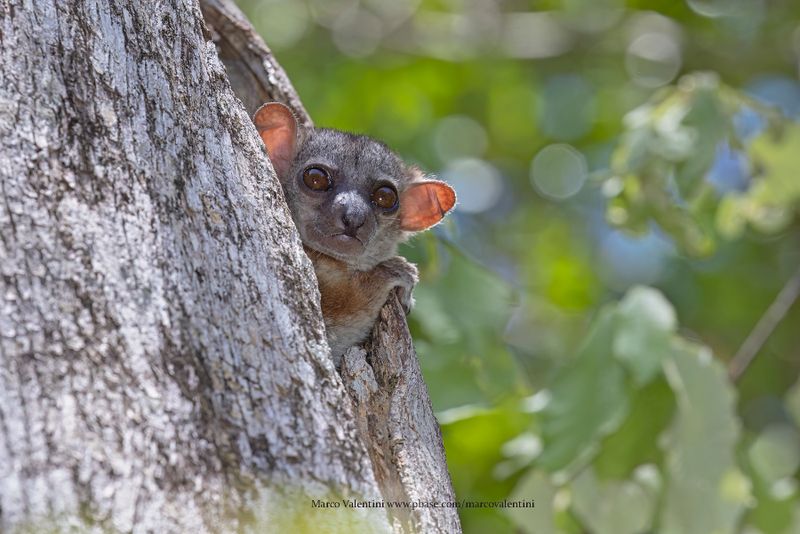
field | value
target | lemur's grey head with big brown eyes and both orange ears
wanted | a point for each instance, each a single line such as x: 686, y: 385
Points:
x: 351, y: 197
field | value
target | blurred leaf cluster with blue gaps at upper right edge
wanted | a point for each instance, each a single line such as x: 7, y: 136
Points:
x: 663, y: 169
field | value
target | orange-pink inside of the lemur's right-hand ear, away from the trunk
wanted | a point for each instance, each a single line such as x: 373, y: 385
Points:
x: 424, y: 204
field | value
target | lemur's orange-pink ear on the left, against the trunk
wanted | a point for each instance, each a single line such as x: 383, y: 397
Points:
x: 277, y: 127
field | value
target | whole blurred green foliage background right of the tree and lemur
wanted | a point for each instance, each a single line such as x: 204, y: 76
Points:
x: 628, y: 209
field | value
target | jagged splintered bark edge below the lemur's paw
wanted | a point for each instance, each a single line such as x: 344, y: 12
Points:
x: 396, y: 422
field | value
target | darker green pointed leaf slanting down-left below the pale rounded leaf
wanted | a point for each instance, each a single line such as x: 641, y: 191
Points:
x: 588, y: 400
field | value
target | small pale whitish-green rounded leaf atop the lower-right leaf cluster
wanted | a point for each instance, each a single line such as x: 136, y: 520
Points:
x: 645, y: 326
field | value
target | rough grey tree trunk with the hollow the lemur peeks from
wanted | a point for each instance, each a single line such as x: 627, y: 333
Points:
x: 163, y: 366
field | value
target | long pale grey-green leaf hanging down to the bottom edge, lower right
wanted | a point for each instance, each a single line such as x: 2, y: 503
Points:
x: 705, y: 490
